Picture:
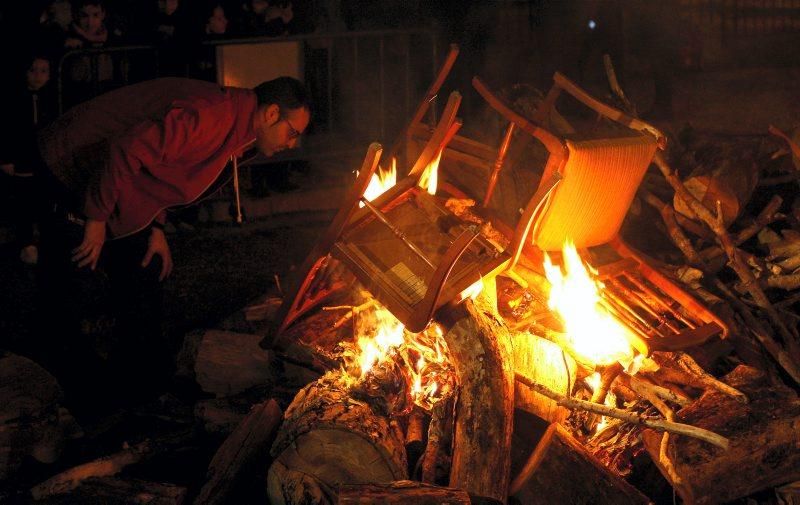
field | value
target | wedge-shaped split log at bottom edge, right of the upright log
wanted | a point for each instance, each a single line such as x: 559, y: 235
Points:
x: 560, y: 470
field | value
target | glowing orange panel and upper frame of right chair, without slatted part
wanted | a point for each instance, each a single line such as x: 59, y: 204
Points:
x: 599, y: 176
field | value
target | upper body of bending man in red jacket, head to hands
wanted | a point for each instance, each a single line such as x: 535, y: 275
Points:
x: 130, y: 154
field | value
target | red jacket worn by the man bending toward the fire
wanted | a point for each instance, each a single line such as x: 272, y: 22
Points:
x: 135, y: 151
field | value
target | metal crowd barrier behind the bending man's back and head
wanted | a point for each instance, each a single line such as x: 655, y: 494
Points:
x: 364, y: 85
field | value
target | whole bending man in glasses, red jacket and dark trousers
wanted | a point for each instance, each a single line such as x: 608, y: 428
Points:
x: 115, y: 164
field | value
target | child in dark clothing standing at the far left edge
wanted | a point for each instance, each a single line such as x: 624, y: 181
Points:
x: 29, y: 108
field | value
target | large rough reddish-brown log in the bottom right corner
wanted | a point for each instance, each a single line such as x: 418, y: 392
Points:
x: 764, y: 435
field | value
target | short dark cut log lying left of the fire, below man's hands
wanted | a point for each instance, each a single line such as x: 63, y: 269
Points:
x: 228, y: 363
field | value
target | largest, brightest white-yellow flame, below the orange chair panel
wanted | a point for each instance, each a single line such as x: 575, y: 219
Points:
x: 591, y: 331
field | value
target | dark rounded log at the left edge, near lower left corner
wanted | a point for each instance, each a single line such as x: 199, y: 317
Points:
x: 32, y: 421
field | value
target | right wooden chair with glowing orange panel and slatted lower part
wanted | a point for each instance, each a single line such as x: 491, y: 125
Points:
x: 599, y: 178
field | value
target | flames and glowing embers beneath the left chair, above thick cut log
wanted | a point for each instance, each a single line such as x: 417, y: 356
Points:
x: 420, y: 360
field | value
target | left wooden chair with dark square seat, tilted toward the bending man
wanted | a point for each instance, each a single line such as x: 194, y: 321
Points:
x: 401, y: 246
